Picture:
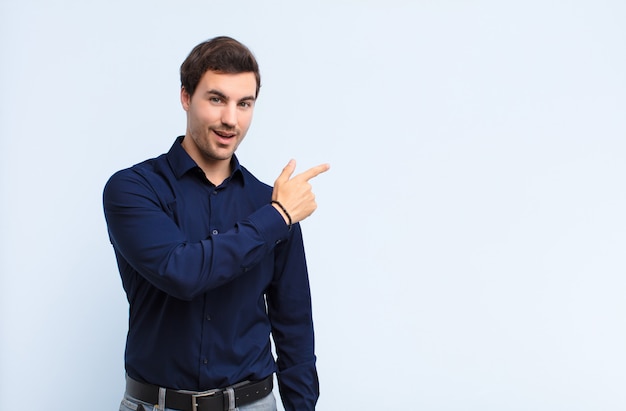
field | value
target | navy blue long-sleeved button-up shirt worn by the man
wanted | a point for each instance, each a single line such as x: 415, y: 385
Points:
x: 209, y: 272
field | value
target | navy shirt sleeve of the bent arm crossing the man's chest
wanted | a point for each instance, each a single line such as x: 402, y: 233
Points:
x: 144, y: 232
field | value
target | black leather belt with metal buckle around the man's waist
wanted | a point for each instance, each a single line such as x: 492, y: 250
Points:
x: 214, y: 400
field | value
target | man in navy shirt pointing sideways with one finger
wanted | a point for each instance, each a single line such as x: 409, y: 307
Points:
x: 211, y: 259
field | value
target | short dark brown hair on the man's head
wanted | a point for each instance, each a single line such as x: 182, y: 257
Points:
x: 222, y: 55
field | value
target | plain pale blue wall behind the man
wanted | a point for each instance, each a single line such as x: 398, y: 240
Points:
x: 468, y: 252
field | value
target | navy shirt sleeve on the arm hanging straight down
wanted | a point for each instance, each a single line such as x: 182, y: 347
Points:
x: 289, y: 308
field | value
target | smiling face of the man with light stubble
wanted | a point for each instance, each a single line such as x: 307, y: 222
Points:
x: 218, y: 115
